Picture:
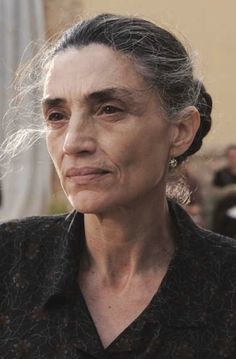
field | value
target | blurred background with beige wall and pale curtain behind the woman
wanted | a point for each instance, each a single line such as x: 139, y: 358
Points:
x: 206, y: 27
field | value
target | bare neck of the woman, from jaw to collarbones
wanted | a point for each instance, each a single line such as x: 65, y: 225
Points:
x: 129, y: 241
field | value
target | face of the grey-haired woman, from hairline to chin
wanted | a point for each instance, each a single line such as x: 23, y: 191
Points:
x: 106, y: 135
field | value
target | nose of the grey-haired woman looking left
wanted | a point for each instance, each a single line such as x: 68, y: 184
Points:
x: 80, y: 136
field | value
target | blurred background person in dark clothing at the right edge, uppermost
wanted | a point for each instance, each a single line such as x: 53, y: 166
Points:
x: 227, y: 175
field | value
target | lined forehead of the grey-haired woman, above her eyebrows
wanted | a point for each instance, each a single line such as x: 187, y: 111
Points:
x: 91, y: 68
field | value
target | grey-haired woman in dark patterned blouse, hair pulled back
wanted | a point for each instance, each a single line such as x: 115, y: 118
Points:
x: 127, y: 274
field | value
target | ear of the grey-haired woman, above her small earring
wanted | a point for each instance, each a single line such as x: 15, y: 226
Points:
x: 184, y: 130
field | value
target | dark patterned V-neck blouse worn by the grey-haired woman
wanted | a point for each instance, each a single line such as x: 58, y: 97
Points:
x: 43, y: 314
